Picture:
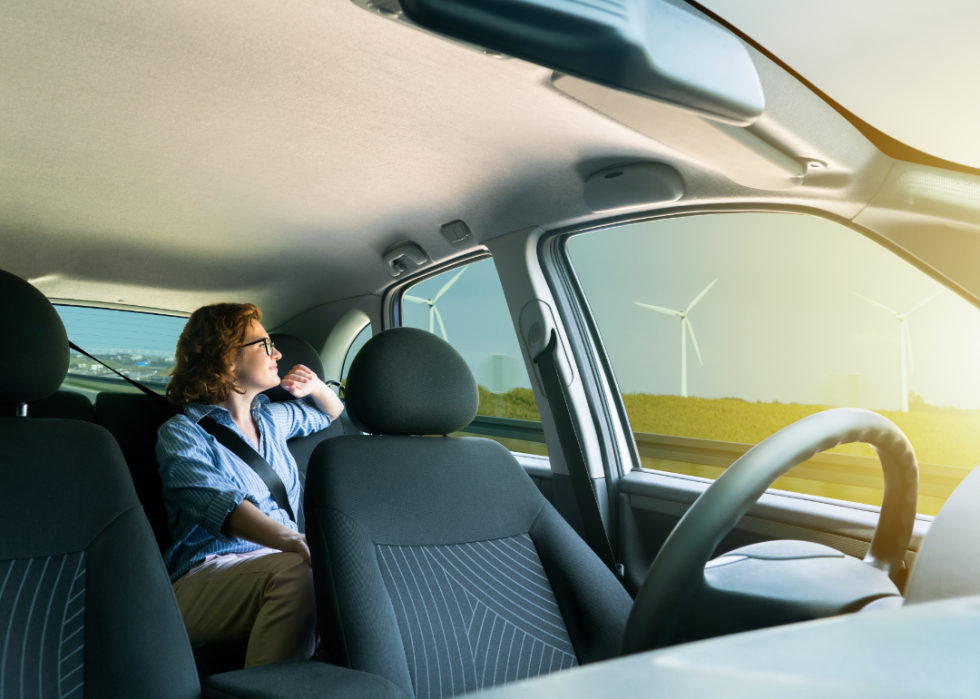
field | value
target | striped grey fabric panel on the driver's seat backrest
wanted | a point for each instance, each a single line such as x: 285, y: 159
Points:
x: 474, y: 615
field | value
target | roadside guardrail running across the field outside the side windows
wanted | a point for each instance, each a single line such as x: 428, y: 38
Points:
x: 710, y: 457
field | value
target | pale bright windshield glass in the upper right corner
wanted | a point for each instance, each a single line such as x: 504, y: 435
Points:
x: 906, y: 68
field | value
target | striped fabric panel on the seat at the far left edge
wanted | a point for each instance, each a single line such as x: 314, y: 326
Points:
x: 42, y: 620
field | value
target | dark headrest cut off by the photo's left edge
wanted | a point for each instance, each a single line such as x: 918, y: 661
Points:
x: 36, y: 362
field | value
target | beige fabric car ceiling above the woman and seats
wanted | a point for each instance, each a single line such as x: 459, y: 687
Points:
x: 168, y: 155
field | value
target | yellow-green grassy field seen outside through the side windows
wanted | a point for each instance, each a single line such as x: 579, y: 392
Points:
x: 946, y: 441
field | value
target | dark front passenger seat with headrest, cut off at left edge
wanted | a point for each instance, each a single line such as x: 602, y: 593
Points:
x: 85, y: 601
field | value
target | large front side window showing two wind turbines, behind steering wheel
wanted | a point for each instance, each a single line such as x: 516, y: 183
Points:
x: 723, y: 329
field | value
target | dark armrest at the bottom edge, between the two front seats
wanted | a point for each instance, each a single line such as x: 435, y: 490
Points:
x: 299, y: 679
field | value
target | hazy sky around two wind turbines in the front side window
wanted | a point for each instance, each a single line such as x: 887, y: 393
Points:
x: 783, y: 322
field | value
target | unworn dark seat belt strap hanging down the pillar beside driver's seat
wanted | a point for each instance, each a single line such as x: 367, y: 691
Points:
x: 571, y: 446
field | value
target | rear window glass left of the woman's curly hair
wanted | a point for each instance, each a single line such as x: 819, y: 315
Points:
x: 139, y: 345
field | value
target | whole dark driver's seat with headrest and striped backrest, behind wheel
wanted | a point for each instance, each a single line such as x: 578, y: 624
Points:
x: 437, y: 562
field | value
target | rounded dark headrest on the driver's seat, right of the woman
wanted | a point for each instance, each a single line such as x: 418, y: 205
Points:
x: 408, y: 381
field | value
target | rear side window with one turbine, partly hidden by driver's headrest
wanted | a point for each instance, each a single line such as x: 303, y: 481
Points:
x: 466, y: 307
